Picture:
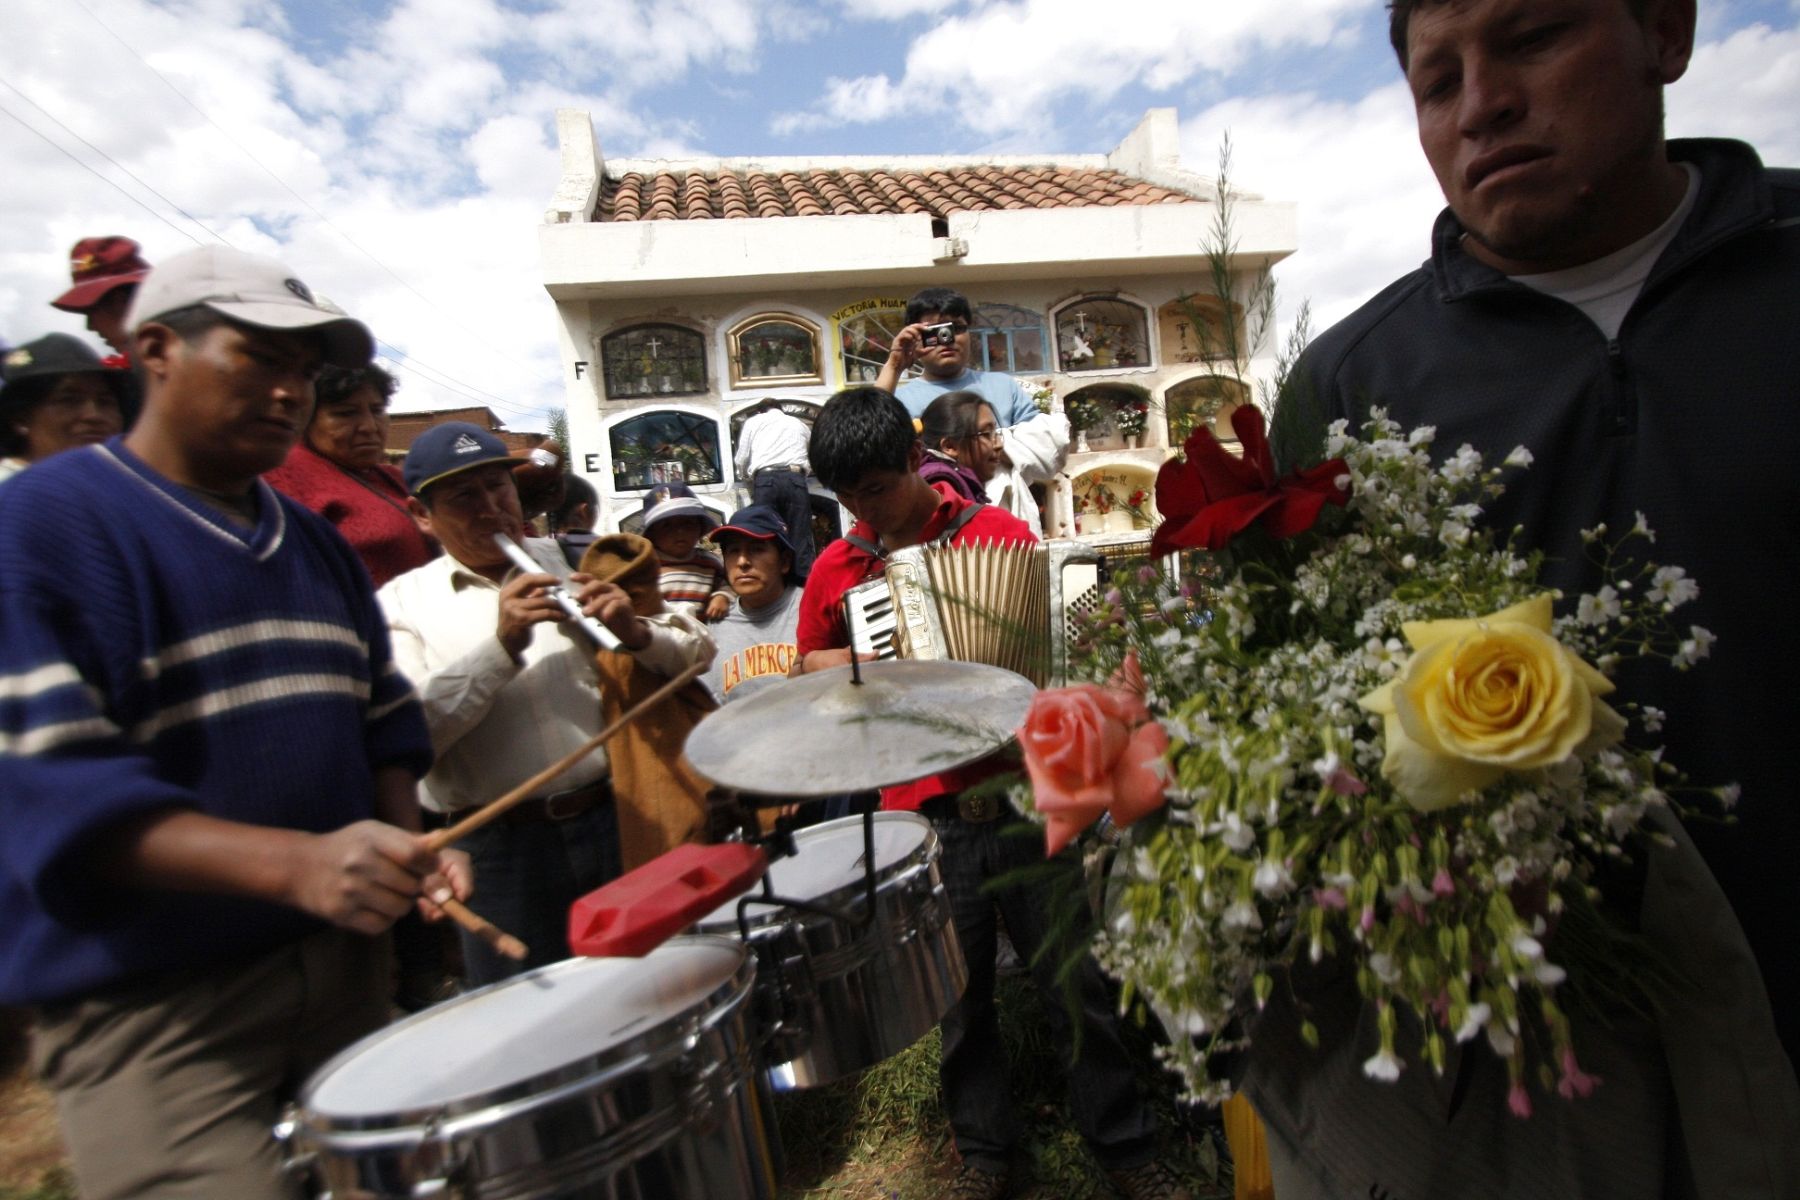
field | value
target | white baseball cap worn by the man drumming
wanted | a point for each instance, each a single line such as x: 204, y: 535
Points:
x: 253, y: 291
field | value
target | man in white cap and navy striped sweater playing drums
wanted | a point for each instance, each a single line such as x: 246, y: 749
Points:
x: 208, y: 760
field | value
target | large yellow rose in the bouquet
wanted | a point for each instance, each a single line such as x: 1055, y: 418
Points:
x: 1486, y: 697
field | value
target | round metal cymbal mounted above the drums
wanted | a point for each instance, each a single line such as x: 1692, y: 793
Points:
x: 823, y: 733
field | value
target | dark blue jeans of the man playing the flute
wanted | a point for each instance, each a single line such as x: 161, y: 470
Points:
x: 526, y: 877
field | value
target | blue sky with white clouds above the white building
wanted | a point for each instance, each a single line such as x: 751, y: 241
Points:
x: 400, y: 156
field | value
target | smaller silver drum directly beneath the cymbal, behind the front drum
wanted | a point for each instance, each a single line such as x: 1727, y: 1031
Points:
x: 834, y: 999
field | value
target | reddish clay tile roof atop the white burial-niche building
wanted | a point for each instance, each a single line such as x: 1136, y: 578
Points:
x: 822, y: 192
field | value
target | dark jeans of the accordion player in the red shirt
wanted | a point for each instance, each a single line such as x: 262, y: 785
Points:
x: 1104, y: 1095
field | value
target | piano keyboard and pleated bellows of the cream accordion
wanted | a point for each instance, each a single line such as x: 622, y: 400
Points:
x: 967, y: 604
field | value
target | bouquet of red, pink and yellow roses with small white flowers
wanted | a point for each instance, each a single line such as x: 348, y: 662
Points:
x: 1367, y: 735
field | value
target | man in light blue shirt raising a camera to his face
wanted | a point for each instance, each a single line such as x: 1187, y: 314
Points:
x: 937, y: 339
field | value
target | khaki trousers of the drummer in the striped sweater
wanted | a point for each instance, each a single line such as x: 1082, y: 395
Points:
x: 170, y: 1088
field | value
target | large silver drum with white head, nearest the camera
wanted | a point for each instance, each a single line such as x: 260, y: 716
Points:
x: 597, y: 1079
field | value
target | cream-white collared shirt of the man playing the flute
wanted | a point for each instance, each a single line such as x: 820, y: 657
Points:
x: 498, y: 722
